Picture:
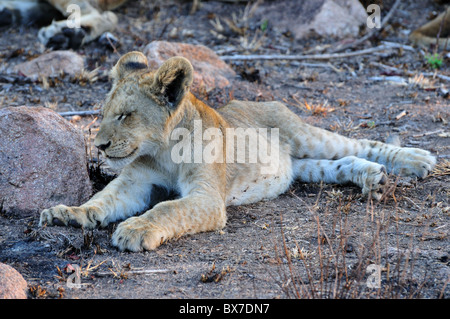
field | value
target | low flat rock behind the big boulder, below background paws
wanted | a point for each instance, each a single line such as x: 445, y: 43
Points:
x: 51, y: 65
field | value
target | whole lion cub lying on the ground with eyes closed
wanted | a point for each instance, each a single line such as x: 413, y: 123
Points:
x: 162, y: 135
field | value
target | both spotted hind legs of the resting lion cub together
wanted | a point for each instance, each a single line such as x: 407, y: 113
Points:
x: 321, y: 155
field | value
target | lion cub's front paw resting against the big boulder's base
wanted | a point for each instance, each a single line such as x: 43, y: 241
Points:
x: 61, y: 215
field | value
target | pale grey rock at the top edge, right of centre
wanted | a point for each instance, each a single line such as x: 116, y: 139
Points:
x: 326, y: 18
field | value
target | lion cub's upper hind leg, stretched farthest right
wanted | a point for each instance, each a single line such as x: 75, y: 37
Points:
x: 309, y: 142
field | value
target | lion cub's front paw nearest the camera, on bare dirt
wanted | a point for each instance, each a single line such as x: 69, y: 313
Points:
x: 137, y: 234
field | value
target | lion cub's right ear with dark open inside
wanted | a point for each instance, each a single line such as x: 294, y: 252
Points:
x: 172, y: 80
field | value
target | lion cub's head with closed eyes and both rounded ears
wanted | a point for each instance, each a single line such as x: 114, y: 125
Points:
x: 140, y: 106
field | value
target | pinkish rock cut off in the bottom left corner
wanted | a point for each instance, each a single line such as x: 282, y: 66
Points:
x: 12, y: 284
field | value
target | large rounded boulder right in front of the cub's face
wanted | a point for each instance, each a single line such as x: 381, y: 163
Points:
x: 42, y: 161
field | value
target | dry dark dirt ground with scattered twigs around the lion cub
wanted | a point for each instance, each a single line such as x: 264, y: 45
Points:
x: 314, y: 241
